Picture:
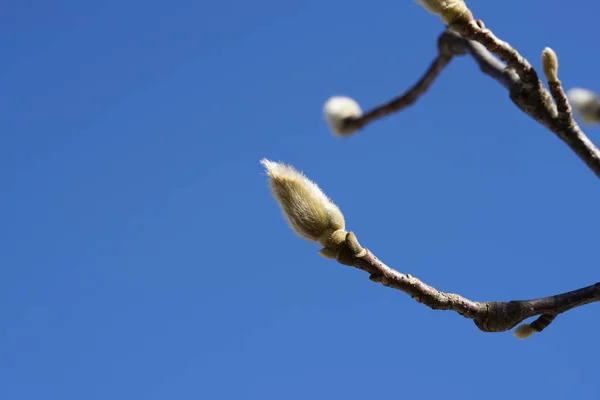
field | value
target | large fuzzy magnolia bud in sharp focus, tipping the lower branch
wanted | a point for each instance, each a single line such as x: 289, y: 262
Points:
x: 306, y: 208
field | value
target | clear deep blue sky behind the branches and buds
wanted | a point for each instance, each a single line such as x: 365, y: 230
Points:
x: 143, y: 257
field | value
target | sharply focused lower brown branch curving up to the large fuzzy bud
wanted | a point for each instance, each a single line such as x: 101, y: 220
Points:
x: 489, y: 316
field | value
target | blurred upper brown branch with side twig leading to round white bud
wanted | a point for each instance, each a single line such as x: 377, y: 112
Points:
x: 525, y: 88
